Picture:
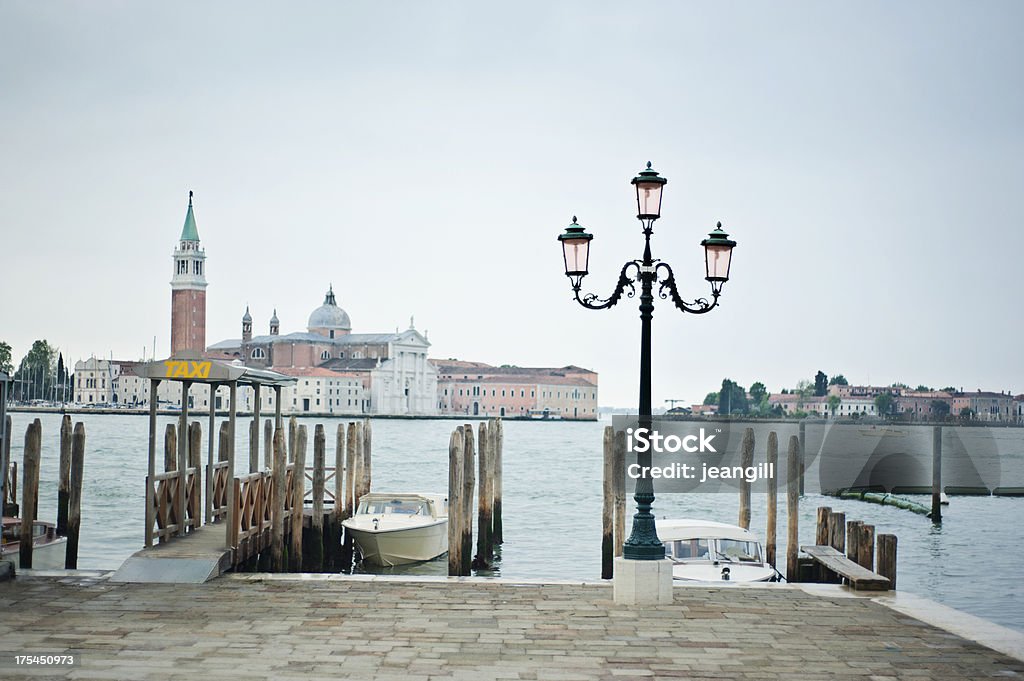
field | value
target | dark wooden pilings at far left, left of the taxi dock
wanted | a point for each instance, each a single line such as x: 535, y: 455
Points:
x: 71, y: 477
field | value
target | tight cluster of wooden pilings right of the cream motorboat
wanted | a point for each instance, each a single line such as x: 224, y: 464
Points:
x: 463, y: 464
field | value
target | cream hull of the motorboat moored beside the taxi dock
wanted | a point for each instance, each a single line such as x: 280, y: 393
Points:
x: 391, y: 547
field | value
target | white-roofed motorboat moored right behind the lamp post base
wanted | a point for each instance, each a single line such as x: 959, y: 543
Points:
x: 709, y: 551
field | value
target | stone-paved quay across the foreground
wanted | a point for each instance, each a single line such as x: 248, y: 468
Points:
x: 242, y: 627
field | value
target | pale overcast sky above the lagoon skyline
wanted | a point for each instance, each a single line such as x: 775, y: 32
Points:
x: 423, y: 157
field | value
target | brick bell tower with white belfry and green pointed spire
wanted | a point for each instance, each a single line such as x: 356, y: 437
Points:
x: 189, y: 291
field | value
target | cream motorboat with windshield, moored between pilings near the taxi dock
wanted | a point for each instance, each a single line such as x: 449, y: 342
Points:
x: 395, y: 530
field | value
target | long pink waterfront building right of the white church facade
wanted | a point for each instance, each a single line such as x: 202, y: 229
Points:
x: 476, y: 389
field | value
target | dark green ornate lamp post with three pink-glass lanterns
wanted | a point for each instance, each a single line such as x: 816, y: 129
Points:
x: 644, y: 543
